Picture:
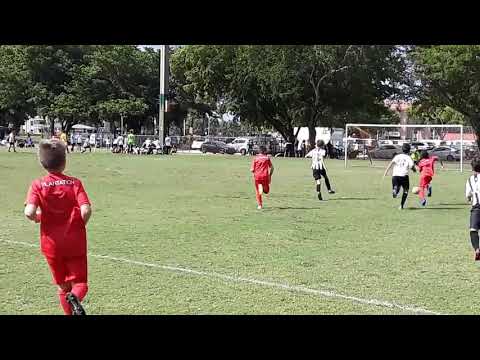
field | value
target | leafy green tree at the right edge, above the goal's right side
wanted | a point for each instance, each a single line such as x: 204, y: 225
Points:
x: 449, y: 76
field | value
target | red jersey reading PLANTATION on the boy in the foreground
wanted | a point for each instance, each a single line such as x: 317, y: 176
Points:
x: 62, y: 229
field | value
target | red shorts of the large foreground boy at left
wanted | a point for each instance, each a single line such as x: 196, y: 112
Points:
x: 68, y: 269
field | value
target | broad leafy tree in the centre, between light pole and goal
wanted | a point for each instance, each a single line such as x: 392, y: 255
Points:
x: 289, y: 86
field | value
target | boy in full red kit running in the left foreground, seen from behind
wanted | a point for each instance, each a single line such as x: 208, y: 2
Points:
x: 60, y: 204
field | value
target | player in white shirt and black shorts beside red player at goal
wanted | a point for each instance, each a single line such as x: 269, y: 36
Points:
x: 402, y: 164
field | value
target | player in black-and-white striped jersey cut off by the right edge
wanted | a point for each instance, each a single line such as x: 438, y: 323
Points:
x: 472, y: 192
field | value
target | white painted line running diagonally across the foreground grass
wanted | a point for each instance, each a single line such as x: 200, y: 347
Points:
x: 291, y: 288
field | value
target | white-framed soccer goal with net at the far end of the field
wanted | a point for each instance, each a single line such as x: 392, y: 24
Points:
x: 375, y: 144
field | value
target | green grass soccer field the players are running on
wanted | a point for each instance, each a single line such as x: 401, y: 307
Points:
x: 181, y: 235
